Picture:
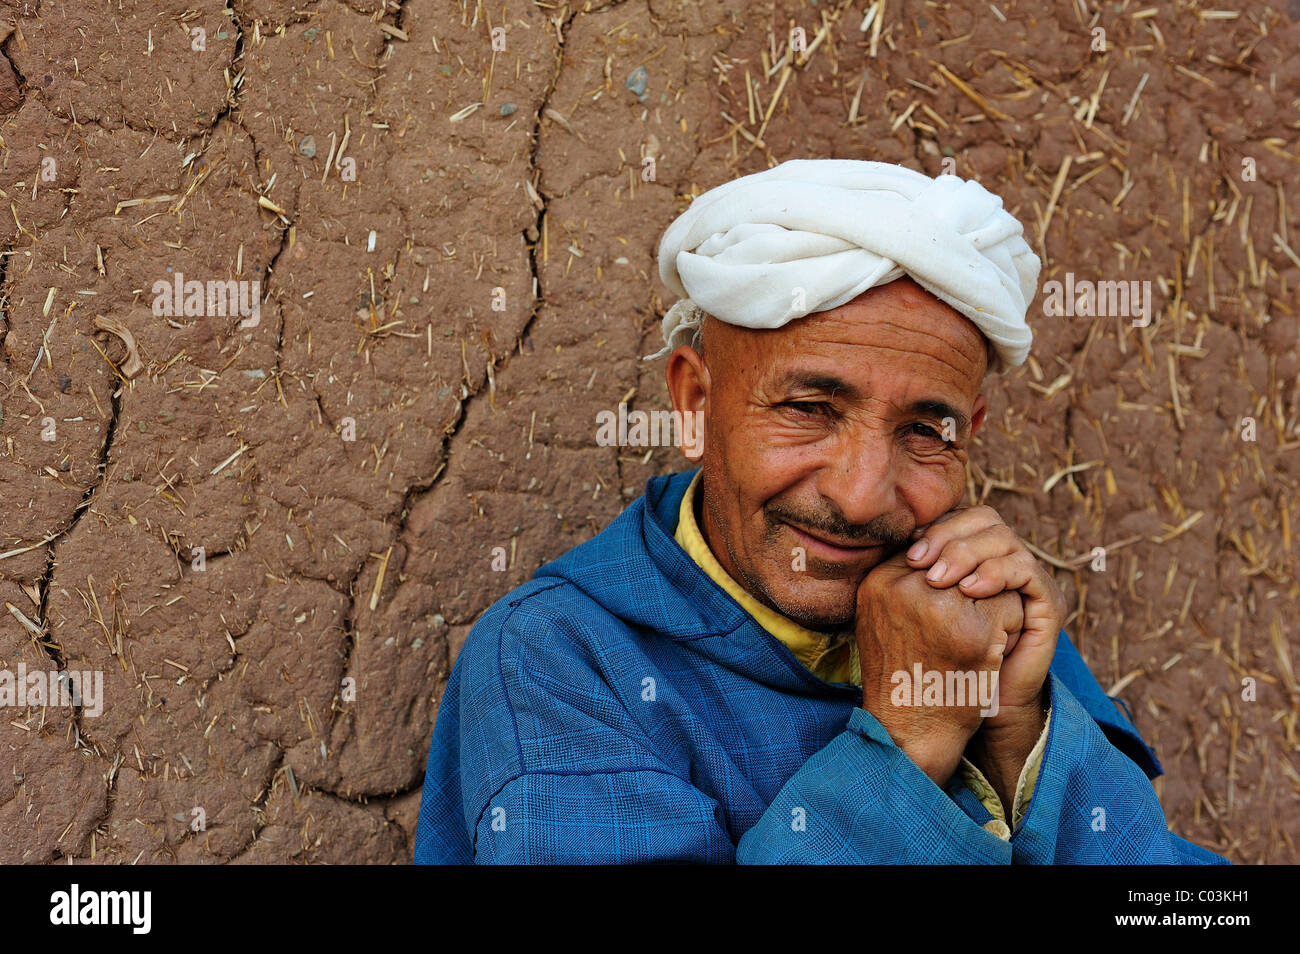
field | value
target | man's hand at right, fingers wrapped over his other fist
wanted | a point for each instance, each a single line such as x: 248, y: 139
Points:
x: 980, y: 553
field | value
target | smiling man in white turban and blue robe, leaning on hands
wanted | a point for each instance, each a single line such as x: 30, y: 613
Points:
x: 805, y: 651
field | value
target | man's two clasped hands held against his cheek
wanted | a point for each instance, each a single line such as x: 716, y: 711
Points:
x: 968, y: 599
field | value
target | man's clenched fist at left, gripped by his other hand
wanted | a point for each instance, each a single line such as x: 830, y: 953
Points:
x: 903, y: 621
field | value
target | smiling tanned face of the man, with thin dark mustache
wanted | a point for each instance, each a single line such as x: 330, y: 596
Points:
x: 825, y: 446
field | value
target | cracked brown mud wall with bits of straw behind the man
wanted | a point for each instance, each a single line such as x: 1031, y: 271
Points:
x: 288, y: 688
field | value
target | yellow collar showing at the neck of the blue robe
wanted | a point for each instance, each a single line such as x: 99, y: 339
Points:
x: 830, y: 658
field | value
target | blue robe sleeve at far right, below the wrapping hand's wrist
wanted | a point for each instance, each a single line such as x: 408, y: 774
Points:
x: 1094, y: 805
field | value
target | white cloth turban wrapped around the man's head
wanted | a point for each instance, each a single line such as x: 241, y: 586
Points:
x: 834, y: 228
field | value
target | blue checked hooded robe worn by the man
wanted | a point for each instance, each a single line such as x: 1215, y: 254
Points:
x: 622, y: 708
